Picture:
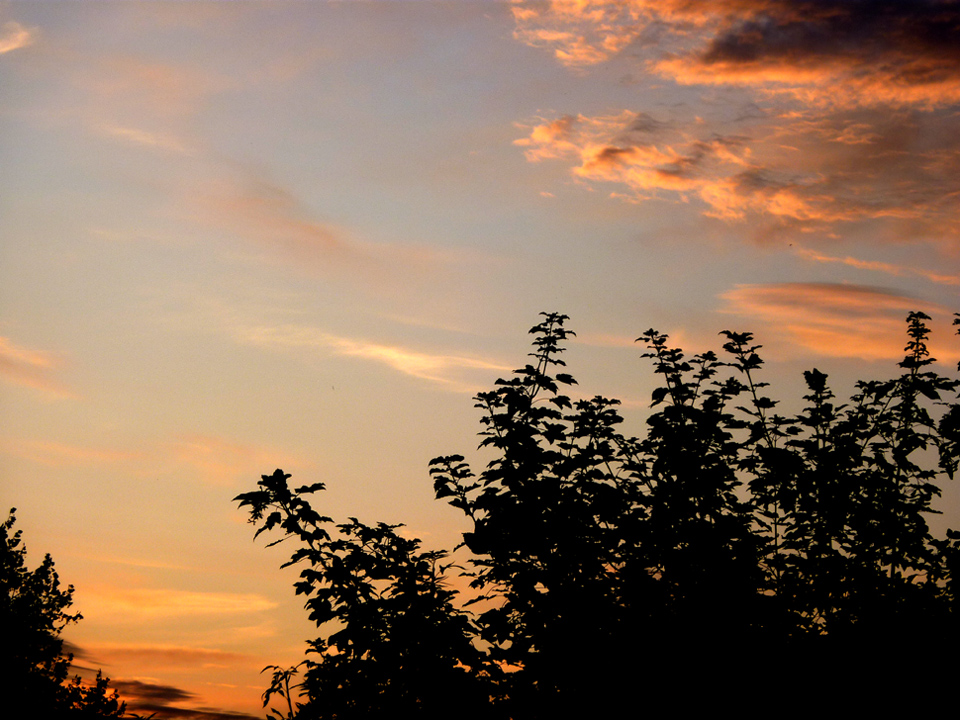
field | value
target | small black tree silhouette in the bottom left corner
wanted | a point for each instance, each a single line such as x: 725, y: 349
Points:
x: 34, y: 610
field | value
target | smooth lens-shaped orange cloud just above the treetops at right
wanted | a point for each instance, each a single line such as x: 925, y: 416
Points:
x: 849, y: 321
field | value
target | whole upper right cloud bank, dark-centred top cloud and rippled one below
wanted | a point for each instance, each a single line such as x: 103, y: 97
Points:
x: 853, y: 117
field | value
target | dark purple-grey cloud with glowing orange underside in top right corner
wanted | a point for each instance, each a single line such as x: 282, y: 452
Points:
x: 851, y: 53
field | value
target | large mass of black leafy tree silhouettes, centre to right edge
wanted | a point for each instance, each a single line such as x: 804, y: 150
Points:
x: 731, y: 543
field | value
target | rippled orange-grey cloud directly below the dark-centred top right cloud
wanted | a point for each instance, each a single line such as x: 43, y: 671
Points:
x: 800, y: 170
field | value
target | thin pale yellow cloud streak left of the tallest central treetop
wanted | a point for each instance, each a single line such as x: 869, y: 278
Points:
x: 443, y: 369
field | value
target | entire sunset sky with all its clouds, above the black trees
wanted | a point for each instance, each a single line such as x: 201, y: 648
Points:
x: 237, y: 236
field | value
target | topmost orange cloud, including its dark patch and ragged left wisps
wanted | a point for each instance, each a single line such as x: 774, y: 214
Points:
x: 852, y: 54
